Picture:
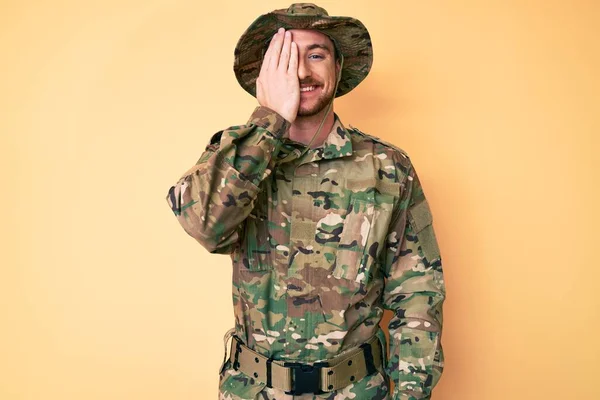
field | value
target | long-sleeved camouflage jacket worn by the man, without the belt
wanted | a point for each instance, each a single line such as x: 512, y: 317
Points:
x: 320, y: 246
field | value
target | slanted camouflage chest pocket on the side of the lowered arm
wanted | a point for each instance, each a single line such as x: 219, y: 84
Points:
x: 364, y: 230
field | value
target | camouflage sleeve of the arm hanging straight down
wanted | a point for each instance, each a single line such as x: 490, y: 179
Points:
x: 414, y: 292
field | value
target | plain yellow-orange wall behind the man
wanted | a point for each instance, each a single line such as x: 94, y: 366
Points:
x: 104, y: 104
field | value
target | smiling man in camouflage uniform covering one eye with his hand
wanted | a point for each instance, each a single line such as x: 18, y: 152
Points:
x: 324, y: 229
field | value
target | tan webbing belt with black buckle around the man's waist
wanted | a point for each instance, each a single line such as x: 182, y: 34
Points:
x: 298, y: 378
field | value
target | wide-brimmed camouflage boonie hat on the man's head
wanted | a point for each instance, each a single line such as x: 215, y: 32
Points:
x: 349, y: 36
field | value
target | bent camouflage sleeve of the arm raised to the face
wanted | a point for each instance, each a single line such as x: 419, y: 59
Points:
x: 214, y: 197
